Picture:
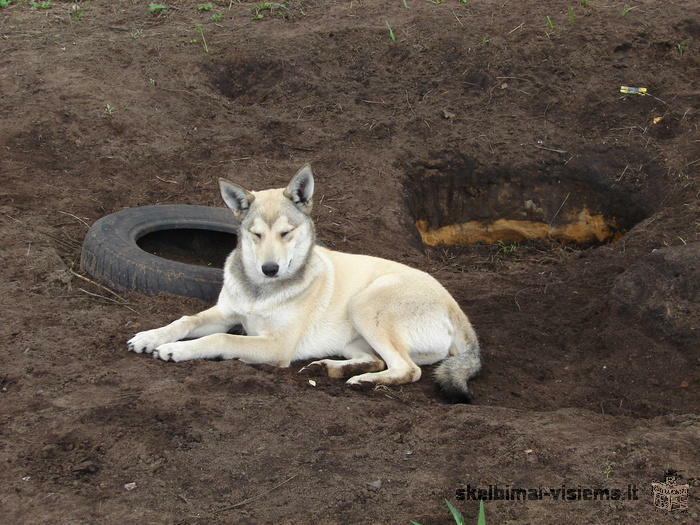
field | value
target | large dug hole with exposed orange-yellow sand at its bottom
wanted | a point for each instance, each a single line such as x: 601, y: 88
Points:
x: 455, y: 201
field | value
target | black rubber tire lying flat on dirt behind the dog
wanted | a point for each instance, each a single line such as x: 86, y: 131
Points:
x: 111, y: 255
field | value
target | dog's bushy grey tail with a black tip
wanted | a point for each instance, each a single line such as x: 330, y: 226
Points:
x: 453, y: 373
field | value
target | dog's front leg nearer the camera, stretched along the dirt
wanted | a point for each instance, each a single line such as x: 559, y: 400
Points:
x: 251, y: 349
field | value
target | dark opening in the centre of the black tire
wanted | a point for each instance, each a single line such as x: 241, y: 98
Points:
x: 191, y: 246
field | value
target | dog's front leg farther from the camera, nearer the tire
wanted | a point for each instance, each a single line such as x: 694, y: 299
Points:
x: 208, y: 322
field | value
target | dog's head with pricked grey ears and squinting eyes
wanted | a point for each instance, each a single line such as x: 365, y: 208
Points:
x: 276, y: 231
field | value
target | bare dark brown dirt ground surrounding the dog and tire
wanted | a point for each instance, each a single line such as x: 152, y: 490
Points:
x: 591, y: 352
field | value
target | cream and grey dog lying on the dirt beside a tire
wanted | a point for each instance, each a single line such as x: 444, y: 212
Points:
x: 297, y: 300
